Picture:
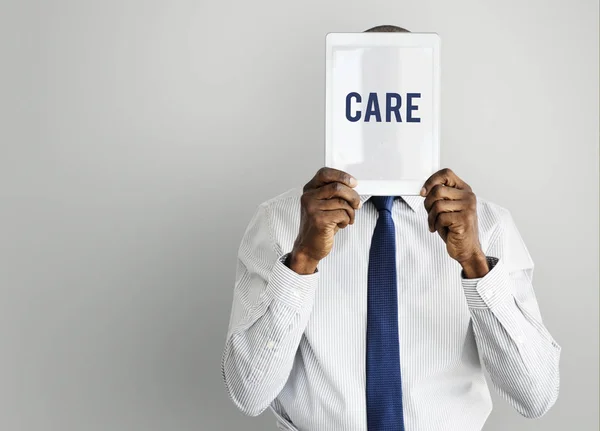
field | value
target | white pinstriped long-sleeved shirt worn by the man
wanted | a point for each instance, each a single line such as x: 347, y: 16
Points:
x: 296, y: 344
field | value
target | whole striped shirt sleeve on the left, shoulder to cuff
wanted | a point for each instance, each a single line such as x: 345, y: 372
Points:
x: 270, y: 310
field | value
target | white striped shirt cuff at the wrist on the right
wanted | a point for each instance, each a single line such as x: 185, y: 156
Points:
x: 490, y: 290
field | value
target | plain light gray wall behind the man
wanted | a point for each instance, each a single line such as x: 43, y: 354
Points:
x: 137, y: 138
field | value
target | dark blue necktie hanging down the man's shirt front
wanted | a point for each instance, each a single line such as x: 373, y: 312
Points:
x: 384, y: 386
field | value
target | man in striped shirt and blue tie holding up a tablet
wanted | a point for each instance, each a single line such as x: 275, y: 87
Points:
x: 378, y: 313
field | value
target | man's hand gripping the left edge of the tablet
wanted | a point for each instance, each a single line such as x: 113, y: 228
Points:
x: 327, y: 205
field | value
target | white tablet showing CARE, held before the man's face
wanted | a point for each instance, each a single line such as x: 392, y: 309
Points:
x: 382, y: 109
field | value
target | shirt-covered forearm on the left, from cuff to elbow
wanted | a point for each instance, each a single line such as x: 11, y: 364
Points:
x: 260, y: 349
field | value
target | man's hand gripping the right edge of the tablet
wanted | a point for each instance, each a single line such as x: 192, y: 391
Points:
x: 452, y: 208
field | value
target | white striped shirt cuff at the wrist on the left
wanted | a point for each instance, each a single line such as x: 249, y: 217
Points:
x: 289, y: 287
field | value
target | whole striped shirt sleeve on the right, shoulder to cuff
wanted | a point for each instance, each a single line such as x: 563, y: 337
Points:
x: 519, y: 353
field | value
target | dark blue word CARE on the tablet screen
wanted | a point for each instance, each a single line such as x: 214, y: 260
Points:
x: 372, y: 109
